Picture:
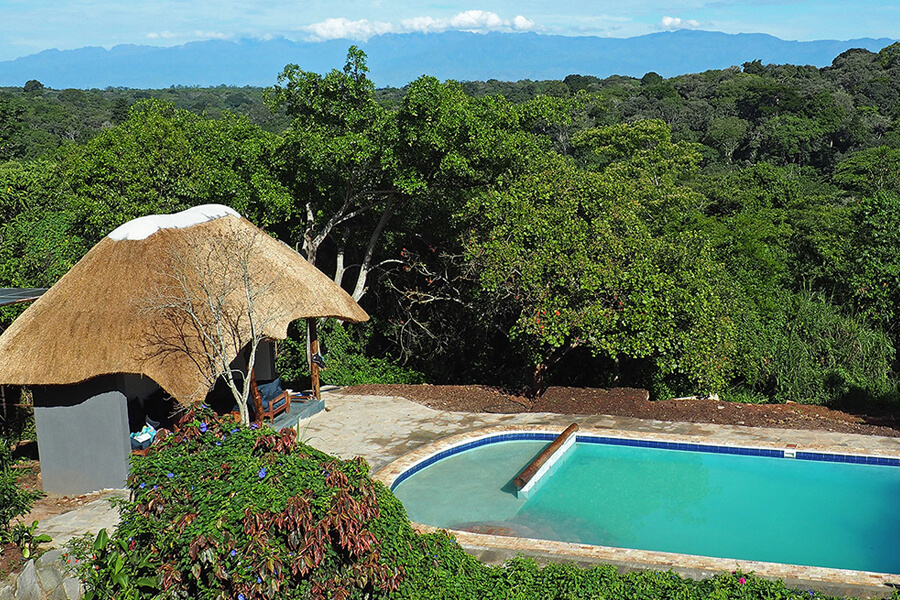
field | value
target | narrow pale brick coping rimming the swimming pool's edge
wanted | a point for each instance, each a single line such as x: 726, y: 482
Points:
x: 647, y: 558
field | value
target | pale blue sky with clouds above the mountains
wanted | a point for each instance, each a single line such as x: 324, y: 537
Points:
x: 29, y: 26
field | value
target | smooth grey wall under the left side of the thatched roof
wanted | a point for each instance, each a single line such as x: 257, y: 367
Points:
x: 82, y: 436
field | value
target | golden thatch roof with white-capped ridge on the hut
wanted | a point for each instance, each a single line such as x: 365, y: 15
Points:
x: 121, y: 308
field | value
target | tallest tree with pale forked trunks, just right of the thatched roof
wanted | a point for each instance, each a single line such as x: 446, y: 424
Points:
x: 361, y: 172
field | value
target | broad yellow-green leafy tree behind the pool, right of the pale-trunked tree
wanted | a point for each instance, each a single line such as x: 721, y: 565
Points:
x: 574, y: 253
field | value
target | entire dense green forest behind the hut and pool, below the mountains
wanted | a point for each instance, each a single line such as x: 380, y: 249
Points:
x: 730, y: 231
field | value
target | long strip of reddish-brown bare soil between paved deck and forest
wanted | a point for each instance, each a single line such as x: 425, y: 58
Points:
x: 634, y: 402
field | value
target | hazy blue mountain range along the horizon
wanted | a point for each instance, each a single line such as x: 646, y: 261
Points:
x: 397, y: 59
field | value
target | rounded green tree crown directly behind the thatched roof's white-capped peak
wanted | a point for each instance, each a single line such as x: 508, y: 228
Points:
x: 162, y: 160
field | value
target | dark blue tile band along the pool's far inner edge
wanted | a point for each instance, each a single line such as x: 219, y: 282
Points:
x: 662, y: 445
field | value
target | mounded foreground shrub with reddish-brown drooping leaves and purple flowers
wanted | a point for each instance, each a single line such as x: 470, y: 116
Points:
x: 223, y: 509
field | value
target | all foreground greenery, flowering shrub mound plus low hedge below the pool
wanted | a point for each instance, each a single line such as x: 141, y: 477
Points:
x: 220, y: 510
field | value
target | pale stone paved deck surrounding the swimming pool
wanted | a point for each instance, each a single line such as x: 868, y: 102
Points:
x: 392, y: 433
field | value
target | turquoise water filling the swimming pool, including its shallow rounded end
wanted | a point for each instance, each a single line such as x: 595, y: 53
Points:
x: 779, y: 510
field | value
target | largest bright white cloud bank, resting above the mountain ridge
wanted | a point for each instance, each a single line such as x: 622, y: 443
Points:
x: 478, y: 21
